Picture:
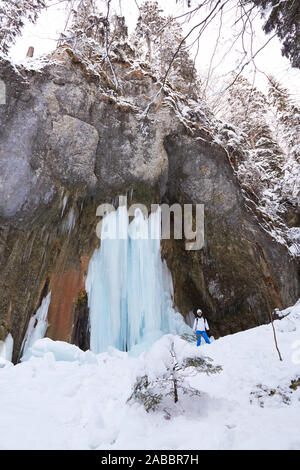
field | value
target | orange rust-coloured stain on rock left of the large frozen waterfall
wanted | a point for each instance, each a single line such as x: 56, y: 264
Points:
x: 65, y: 286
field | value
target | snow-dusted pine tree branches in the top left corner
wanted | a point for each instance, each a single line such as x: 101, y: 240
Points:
x: 13, y: 14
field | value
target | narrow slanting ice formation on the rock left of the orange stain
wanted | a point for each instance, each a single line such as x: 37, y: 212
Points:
x: 37, y: 327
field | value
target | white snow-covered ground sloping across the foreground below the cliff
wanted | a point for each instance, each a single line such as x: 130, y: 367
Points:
x: 81, y: 402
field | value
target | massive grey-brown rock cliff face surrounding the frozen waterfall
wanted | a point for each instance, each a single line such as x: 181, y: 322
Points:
x: 68, y: 144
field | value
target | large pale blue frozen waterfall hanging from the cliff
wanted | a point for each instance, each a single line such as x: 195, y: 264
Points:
x: 129, y: 287
